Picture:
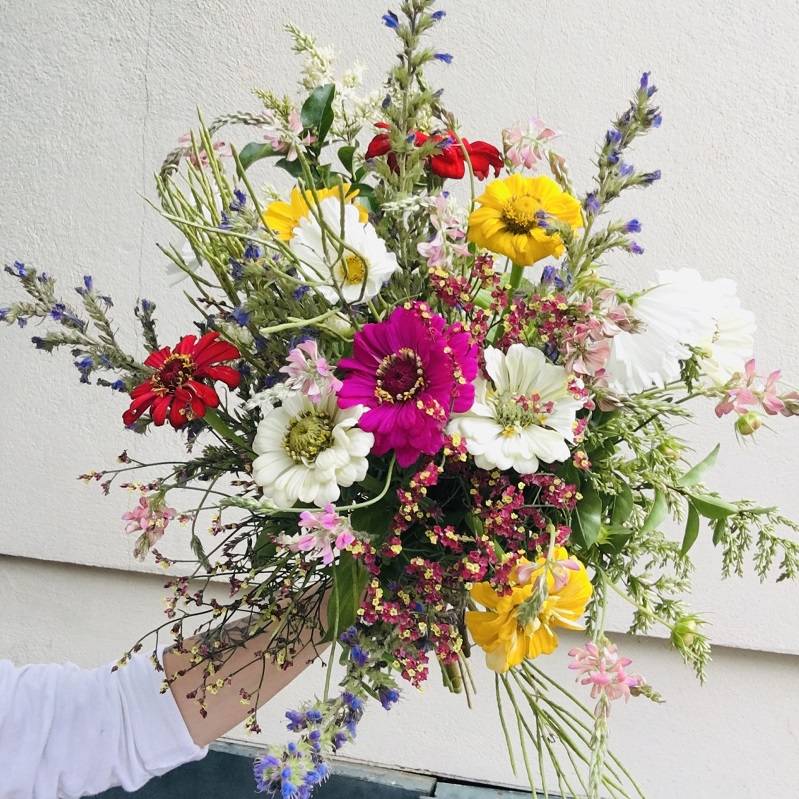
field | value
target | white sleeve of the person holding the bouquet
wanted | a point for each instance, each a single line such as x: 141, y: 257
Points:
x: 67, y: 732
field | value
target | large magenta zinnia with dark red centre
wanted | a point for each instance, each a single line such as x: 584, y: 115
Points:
x: 411, y: 371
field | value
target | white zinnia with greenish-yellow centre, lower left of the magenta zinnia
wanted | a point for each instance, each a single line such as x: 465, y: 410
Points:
x: 307, y: 450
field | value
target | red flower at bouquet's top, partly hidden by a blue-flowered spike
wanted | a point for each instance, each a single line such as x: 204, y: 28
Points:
x: 449, y: 162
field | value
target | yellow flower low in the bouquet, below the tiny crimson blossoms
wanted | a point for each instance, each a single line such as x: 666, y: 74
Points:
x: 519, y: 625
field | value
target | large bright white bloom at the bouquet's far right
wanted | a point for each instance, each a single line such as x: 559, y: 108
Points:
x: 680, y: 312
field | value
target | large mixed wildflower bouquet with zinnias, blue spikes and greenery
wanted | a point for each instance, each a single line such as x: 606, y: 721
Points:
x: 423, y: 416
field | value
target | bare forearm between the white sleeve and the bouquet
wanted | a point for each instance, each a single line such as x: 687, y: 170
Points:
x: 245, y: 672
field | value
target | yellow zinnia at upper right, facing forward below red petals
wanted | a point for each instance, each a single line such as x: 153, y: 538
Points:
x: 507, y: 220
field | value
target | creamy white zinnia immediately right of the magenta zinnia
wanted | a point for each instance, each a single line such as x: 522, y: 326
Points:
x: 523, y: 415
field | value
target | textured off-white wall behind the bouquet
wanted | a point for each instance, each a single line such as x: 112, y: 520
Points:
x: 93, y: 93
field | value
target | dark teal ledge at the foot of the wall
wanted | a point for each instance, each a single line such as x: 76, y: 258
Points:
x: 223, y: 774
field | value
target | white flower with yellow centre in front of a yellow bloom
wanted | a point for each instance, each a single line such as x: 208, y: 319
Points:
x: 359, y: 276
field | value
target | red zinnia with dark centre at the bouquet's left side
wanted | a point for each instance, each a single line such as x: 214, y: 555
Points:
x: 176, y: 389
